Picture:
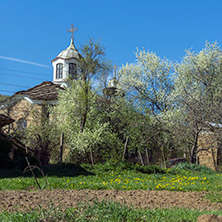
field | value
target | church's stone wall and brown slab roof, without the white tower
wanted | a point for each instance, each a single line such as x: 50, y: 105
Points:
x: 23, y: 104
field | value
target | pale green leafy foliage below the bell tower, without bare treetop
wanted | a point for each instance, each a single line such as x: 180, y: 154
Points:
x: 71, y: 109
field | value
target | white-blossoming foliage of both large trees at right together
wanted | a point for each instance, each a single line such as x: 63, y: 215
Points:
x: 179, y: 100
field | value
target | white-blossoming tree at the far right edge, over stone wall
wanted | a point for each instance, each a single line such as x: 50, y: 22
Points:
x: 197, y: 96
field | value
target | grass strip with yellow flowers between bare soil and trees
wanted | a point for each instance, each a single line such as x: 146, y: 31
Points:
x: 121, y: 177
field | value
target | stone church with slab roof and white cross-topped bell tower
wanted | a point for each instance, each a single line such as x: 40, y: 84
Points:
x: 20, y: 105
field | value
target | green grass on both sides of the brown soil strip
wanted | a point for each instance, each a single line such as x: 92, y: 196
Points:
x: 109, y: 176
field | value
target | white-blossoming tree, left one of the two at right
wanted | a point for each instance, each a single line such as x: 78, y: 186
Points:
x: 148, y: 84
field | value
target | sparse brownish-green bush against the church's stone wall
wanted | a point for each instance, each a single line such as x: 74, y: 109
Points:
x: 43, y: 135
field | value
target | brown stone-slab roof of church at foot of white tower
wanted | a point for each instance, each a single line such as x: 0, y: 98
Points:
x: 45, y: 91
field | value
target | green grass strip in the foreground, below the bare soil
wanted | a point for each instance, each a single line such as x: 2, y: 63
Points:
x: 105, y: 211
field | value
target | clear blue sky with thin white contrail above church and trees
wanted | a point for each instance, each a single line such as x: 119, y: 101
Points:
x: 36, y: 31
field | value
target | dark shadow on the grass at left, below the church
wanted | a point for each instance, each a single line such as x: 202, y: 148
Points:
x: 67, y: 170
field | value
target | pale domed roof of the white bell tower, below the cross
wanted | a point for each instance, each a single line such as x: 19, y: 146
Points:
x: 69, y: 53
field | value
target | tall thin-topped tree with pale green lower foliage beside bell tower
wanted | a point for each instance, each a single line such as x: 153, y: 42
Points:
x: 77, y: 109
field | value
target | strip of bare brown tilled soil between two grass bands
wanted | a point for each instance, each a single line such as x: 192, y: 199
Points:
x: 26, y: 200
